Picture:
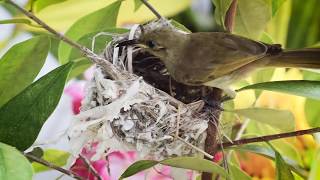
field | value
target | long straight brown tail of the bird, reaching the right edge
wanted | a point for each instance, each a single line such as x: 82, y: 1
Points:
x: 303, y: 58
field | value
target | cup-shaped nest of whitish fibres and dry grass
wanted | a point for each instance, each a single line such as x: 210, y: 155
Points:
x: 131, y: 109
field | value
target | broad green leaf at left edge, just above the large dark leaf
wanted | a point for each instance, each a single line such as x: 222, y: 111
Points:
x: 20, y: 65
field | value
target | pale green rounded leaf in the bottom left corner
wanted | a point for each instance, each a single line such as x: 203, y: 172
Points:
x: 13, y: 165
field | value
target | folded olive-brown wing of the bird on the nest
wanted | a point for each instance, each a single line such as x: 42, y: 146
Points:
x: 222, y: 53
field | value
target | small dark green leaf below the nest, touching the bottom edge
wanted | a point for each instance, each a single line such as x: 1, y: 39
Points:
x: 138, y: 167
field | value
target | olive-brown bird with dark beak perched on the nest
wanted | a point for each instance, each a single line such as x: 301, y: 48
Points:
x: 218, y: 59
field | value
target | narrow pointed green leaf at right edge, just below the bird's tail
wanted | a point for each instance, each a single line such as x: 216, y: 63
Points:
x: 310, y: 89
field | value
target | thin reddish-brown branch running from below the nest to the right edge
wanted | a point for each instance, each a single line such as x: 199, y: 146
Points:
x: 270, y: 137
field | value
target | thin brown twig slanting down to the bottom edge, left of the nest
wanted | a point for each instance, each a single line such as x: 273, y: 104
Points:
x: 52, y: 166
